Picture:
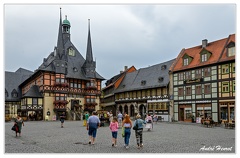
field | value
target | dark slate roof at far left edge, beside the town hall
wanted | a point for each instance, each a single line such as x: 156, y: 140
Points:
x: 13, y: 80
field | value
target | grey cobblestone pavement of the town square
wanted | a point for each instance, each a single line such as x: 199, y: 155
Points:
x: 48, y: 137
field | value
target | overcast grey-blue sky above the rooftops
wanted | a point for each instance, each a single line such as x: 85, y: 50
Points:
x: 122, y: 35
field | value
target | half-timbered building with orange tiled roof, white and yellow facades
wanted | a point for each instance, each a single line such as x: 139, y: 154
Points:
x: 204, y: 81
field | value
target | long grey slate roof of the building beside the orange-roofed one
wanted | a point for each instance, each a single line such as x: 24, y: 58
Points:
x: 153, y: 76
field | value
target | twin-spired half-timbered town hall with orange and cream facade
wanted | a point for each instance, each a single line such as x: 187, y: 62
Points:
x: 65, y: 80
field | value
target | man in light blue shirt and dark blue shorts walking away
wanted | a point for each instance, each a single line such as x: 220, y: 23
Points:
x: 93, y: 123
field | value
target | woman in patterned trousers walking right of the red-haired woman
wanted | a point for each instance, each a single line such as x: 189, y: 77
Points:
x: 139, y: 131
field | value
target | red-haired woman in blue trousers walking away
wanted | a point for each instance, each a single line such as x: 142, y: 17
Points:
x: 127, y: 124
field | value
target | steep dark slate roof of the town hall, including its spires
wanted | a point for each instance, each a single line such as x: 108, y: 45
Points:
x: 75, y: 64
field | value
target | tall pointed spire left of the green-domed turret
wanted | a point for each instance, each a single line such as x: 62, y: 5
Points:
x: 60, y: 45
